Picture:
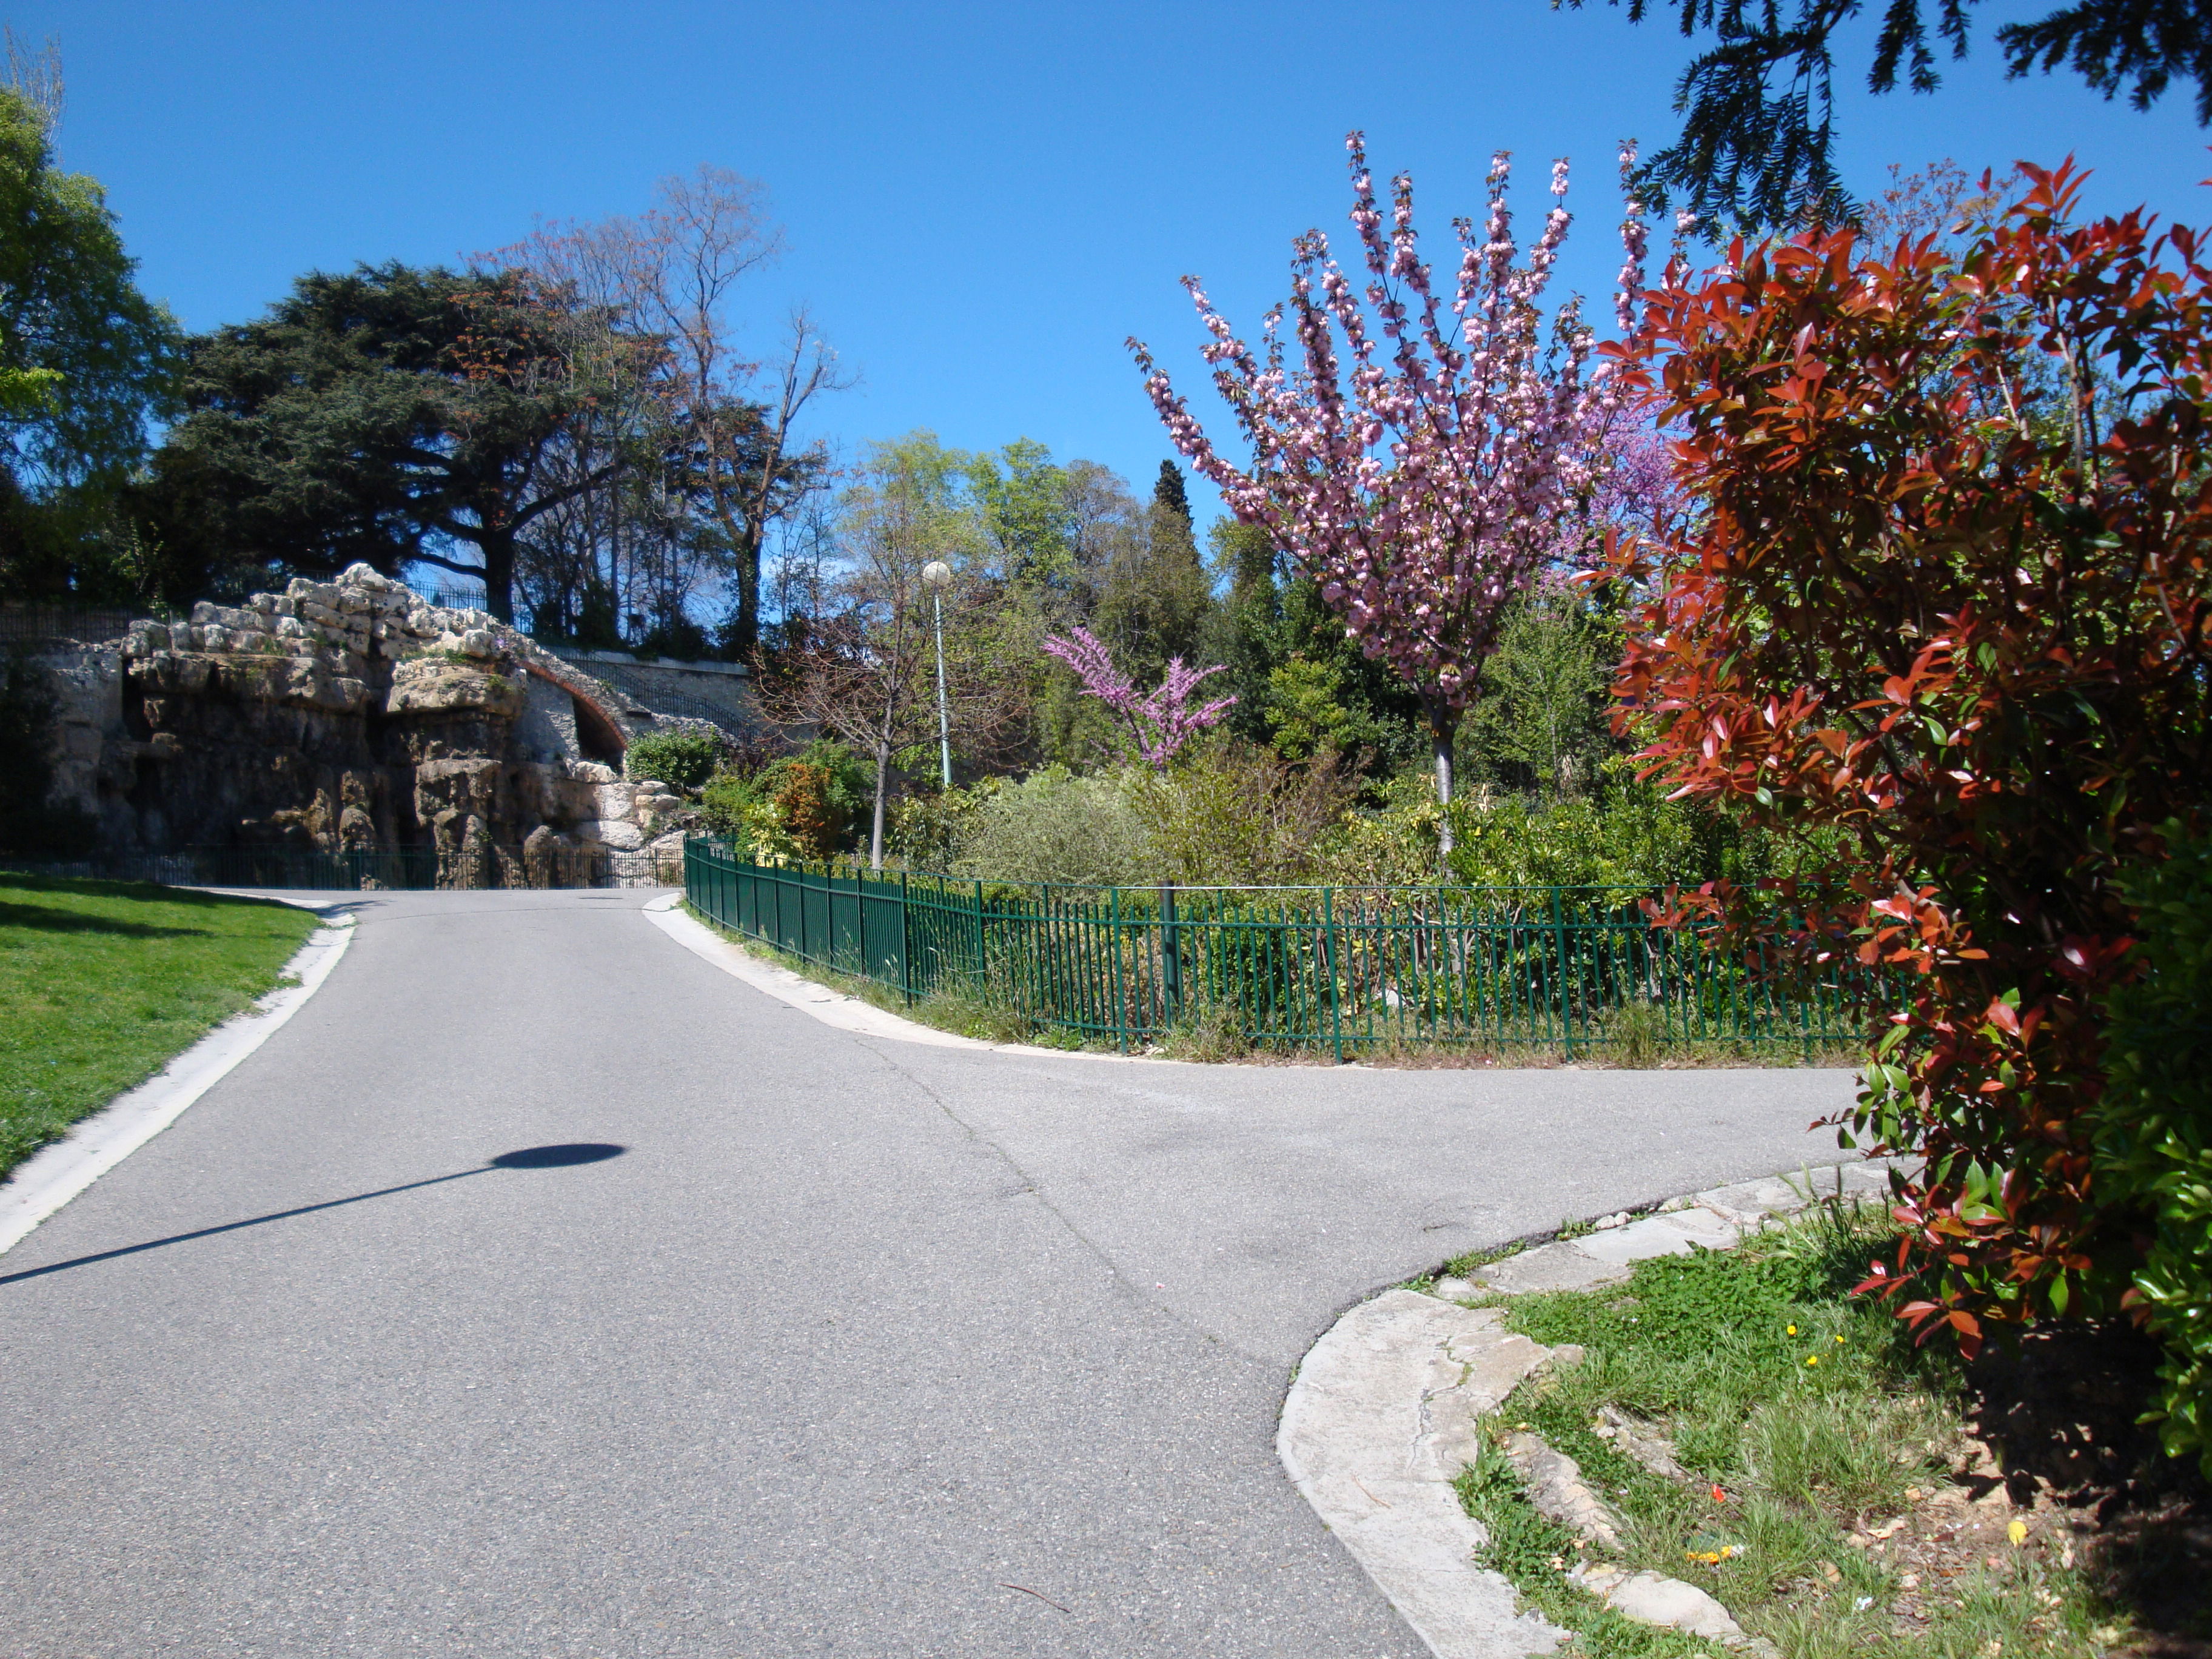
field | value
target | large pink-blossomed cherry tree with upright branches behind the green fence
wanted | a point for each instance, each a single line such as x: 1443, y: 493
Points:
x: 1419, y: 452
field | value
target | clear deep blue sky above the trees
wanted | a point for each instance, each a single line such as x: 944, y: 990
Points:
x: 981, y: 200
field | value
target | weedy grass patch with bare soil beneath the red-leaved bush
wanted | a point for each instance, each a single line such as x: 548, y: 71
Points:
x: 1822, y: 1463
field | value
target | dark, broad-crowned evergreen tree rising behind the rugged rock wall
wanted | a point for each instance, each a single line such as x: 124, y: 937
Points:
x: 390, y: 415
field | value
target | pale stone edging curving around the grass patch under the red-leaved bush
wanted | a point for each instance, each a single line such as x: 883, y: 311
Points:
x: 1386, y: 1408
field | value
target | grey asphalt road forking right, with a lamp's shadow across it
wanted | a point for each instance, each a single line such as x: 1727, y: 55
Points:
x: 857, y: 1348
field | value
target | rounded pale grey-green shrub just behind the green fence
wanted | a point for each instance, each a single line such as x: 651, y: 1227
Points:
x: 1063, y: 828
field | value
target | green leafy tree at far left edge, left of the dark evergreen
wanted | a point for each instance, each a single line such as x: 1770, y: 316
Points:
x: 85, y: 364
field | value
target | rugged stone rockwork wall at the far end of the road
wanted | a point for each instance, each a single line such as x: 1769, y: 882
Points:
x: 351, y: 716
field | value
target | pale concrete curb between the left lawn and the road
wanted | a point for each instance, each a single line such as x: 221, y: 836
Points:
x: 50, y: 1180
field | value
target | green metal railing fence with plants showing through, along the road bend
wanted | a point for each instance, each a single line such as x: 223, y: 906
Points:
x: 1532, y: 970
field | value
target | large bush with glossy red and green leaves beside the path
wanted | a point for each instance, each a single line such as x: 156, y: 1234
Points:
x: 1948, y: 605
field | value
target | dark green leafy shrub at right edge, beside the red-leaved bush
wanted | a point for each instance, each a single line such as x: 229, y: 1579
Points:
x: 2153, y: 1131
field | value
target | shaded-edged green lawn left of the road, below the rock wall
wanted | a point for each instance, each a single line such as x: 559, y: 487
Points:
x: 103, y: 983
